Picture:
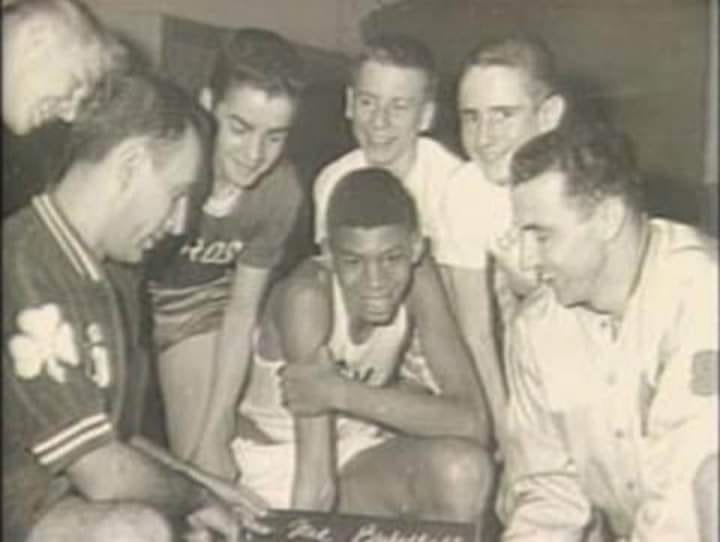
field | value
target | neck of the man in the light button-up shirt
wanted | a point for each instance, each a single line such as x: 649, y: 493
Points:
x: 624, y: 264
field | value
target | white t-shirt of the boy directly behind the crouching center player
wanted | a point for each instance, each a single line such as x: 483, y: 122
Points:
x: 433, y: 167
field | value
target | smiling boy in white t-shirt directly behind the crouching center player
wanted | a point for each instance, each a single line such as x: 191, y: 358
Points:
x: 390, y: 103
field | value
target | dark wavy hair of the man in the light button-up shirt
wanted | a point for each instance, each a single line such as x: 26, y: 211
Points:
x: 597, y: 159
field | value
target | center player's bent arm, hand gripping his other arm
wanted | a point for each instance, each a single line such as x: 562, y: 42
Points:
x: 459, y: 409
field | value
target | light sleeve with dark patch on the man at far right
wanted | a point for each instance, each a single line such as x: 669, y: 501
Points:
x: 683, y: 415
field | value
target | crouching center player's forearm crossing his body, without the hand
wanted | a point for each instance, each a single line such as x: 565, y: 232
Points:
x: 416, y: 413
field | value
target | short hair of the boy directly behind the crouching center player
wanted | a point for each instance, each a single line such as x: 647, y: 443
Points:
x: 400, y: 51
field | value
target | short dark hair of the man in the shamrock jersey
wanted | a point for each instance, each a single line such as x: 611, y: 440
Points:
x: 134, y: 105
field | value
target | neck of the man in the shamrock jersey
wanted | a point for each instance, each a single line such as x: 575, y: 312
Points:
x: 81, y: 206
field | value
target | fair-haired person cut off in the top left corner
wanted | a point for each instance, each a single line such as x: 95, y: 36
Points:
x: 54, y: 54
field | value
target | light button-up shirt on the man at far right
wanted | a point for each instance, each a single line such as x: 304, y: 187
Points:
x: 616, y: 416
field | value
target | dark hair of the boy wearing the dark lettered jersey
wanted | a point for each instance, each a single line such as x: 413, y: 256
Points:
x: 259, y: 58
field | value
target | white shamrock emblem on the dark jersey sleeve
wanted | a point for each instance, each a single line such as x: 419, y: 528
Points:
x: 46, y: 343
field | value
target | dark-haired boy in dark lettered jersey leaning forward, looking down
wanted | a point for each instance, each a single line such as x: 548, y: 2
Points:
x: 207, y: 294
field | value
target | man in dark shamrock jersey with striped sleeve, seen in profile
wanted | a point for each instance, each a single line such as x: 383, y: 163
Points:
x: 74, y: 466
